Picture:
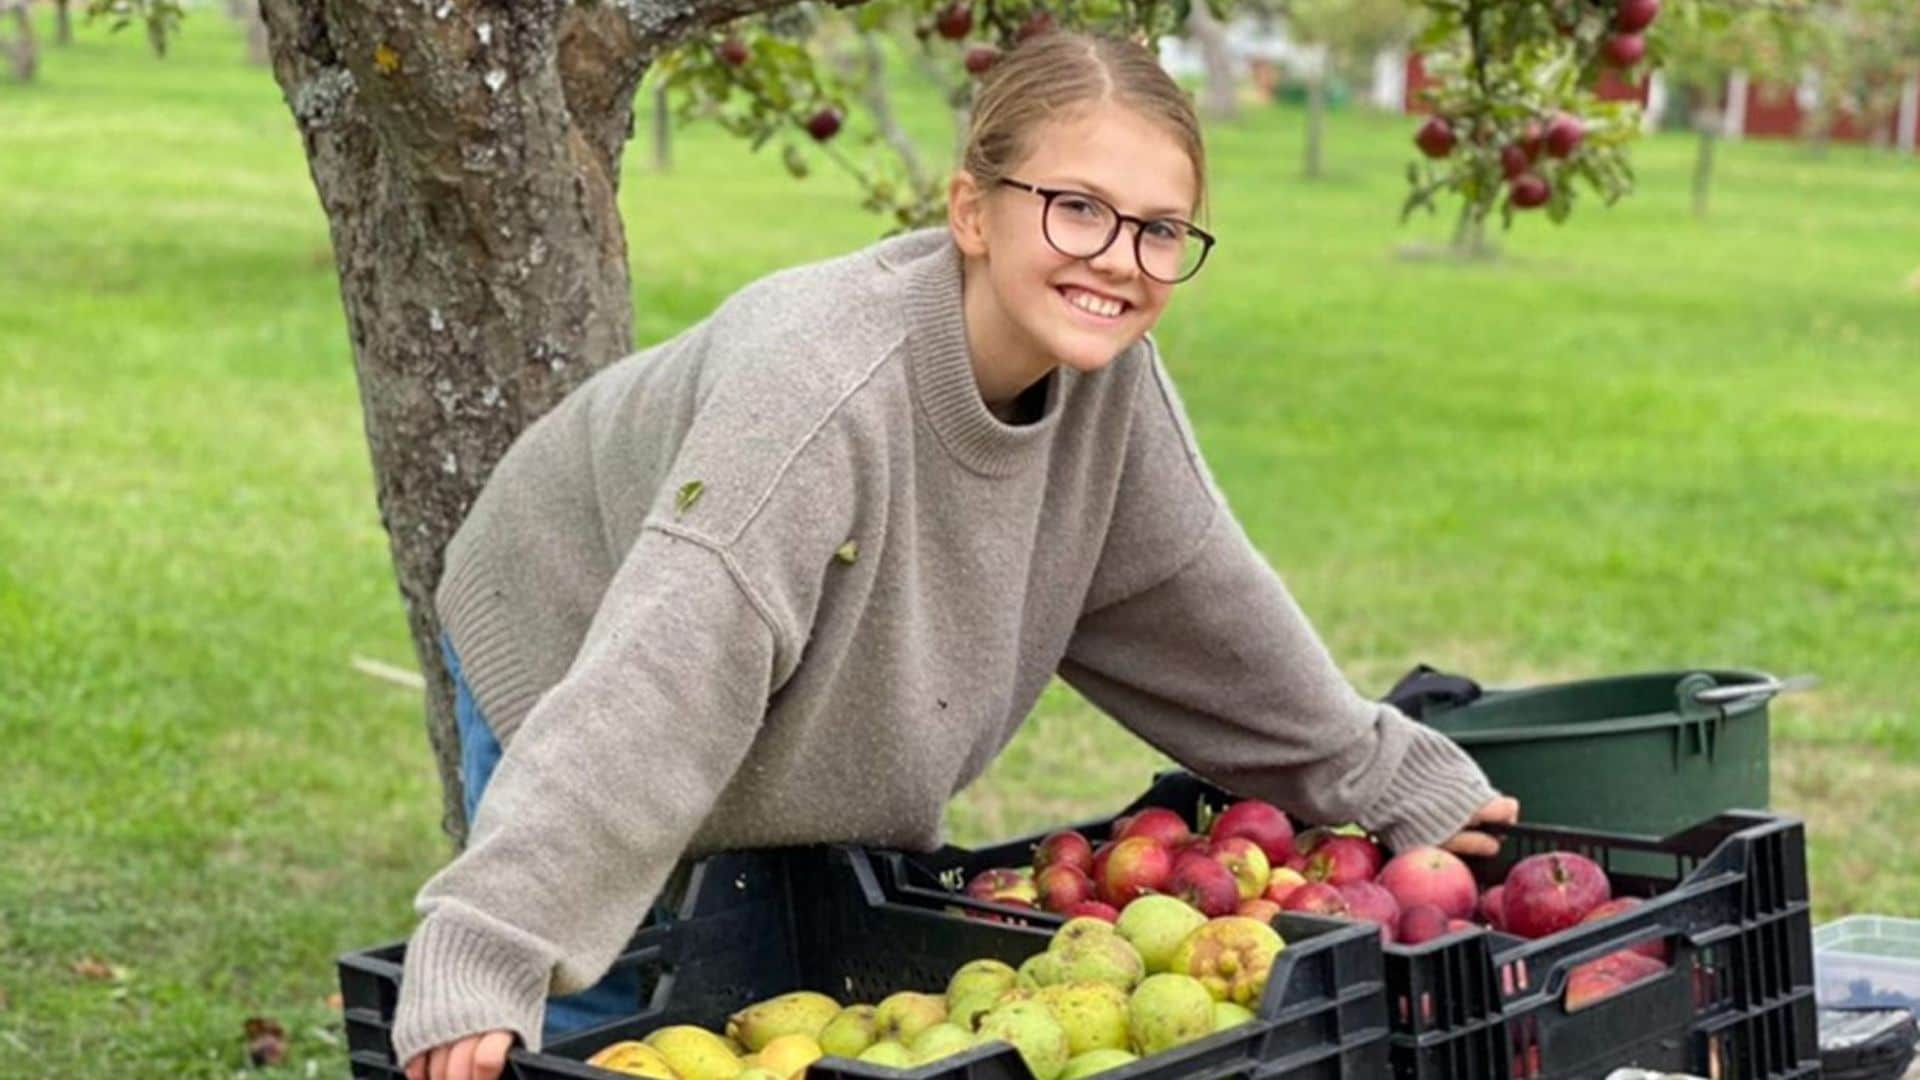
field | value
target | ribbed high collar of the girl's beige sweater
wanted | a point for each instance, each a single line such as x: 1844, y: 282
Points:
x: 942, y: 368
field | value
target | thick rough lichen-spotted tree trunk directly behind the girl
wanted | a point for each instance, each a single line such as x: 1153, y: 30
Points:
x: 468, y: 159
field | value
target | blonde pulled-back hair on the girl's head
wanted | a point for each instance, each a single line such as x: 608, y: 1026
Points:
x: 1061, y: 72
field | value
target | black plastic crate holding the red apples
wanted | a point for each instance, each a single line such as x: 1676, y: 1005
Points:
x: 1729, y: 896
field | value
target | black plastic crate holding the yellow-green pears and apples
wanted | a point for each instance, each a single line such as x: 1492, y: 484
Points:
x: 763, y: 923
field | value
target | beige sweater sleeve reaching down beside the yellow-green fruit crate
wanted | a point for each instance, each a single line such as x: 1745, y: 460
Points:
x: 596, y: 797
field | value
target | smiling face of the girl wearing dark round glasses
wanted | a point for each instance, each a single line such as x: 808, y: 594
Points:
x: 1036, y: 312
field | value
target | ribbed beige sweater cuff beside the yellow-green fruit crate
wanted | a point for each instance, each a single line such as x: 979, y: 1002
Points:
x: 462, y: 981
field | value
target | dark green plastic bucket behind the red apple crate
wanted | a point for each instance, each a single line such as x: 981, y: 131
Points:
x: 1646, y: 754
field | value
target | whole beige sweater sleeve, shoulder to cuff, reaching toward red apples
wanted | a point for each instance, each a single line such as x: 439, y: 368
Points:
x: 1193, y: 643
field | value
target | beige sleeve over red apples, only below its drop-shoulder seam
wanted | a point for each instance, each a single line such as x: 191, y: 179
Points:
x: 1218, y: 668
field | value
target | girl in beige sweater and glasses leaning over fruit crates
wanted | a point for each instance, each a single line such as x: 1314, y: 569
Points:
x: 800, y: 574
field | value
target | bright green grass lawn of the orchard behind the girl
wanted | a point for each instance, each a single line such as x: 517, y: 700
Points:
x: 1633, y: 443
